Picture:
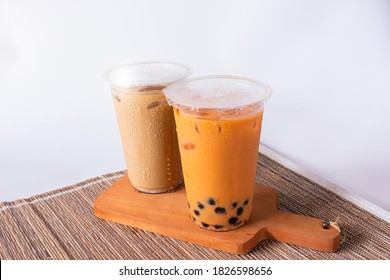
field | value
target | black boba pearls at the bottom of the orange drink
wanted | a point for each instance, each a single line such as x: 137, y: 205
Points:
x: 234, y: 213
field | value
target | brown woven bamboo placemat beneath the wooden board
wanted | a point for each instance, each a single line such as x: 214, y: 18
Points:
x: 61, y: 225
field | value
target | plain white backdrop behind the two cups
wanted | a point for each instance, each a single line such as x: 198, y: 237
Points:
x: 327, y: 61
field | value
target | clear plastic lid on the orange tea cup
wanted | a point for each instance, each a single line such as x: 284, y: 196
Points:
x: 217, y: 92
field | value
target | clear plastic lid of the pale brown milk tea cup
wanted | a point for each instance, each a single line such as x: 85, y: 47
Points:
x: 152, y: 74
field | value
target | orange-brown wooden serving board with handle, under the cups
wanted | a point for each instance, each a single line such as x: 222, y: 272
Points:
x: 167, y: 214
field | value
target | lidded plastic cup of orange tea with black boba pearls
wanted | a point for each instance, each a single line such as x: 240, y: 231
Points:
x: 218, y: 122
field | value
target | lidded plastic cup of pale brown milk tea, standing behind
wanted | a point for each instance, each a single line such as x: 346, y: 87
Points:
x: 146, y: 123
